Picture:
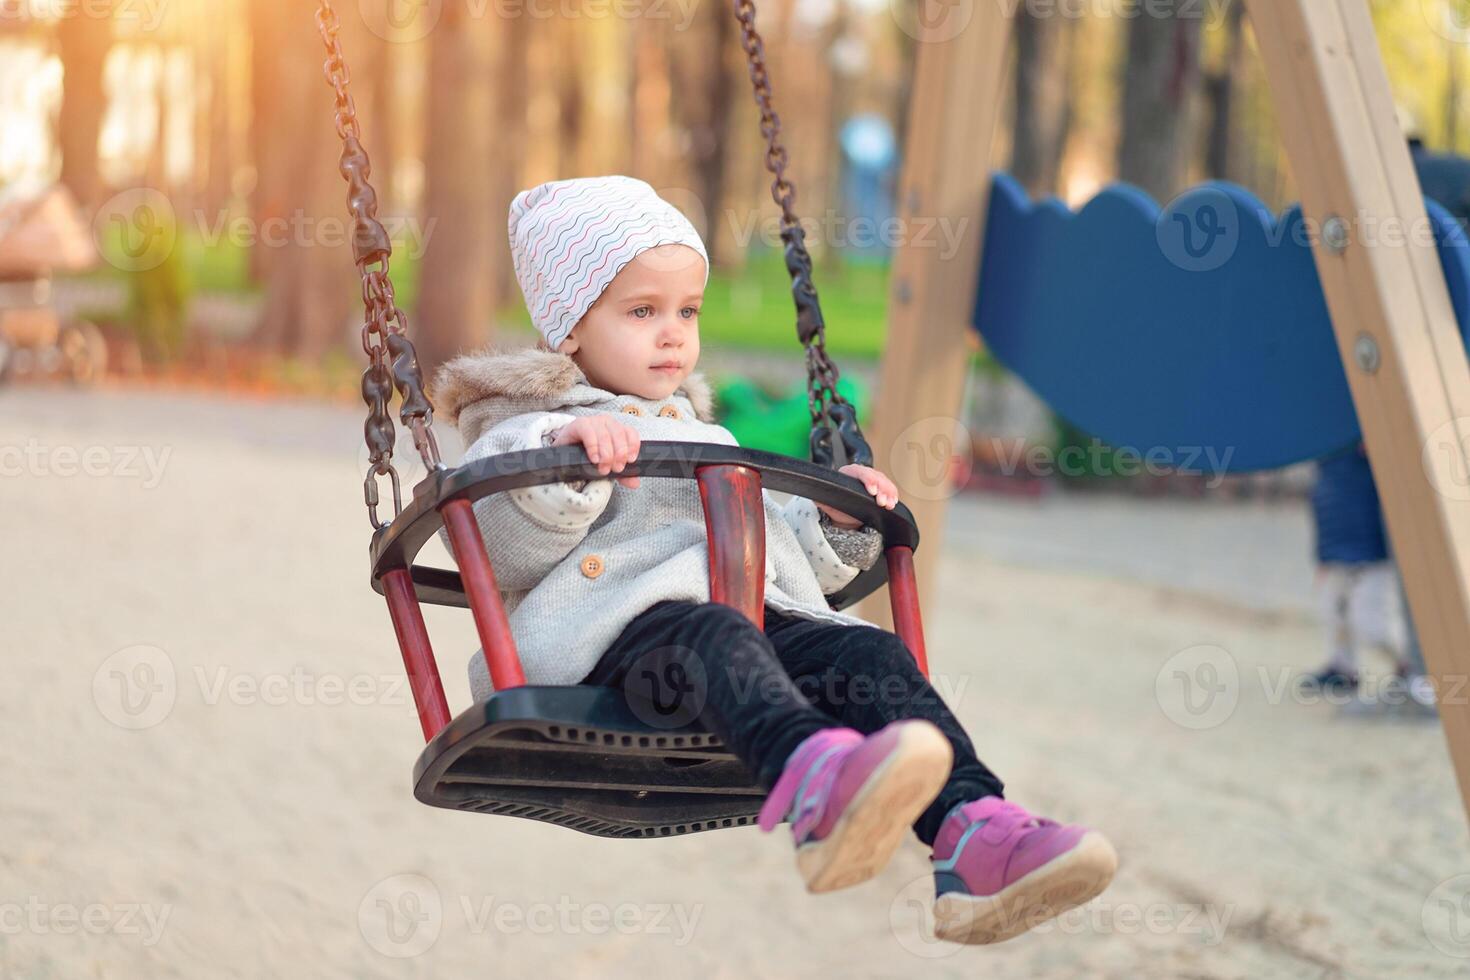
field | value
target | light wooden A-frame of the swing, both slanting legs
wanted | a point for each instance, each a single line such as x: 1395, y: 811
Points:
x: 1391, y: 314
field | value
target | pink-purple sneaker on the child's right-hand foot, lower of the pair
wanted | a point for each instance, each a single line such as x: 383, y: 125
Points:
x: 999, y: 871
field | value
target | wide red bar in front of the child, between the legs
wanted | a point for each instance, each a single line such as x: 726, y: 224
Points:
x: 736, y: 524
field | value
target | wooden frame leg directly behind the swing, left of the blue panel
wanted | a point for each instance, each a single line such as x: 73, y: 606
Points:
x: 959, y: 90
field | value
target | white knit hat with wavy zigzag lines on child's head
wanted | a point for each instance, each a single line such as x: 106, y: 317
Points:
x: 571, y: 239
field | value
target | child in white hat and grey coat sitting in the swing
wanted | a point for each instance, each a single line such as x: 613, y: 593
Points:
x: 605, y: 584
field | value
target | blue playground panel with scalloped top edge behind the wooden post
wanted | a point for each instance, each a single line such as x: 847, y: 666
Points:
x: 1197, y: 334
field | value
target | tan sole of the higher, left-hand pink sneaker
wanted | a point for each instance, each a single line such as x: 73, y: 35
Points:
x: 883, y: 810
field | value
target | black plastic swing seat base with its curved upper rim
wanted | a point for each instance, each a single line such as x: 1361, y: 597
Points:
x: 583, y: 757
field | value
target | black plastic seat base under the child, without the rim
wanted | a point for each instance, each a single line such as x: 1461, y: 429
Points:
x: 583, y: 759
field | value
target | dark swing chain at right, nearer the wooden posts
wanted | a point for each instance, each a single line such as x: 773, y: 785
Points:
x: 827, y: 405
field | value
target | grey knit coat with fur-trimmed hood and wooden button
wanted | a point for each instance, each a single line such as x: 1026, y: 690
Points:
x: 578, y: 562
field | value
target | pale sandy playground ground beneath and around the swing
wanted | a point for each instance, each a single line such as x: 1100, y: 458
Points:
x: 208, y: 747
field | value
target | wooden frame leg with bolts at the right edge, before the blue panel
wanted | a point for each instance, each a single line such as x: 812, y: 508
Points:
x: 1391, y: 314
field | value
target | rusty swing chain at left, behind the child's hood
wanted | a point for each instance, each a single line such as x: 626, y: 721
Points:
x: 384, y: 333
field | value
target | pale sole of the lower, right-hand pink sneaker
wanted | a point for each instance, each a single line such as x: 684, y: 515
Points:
x: 1065, y: 882
